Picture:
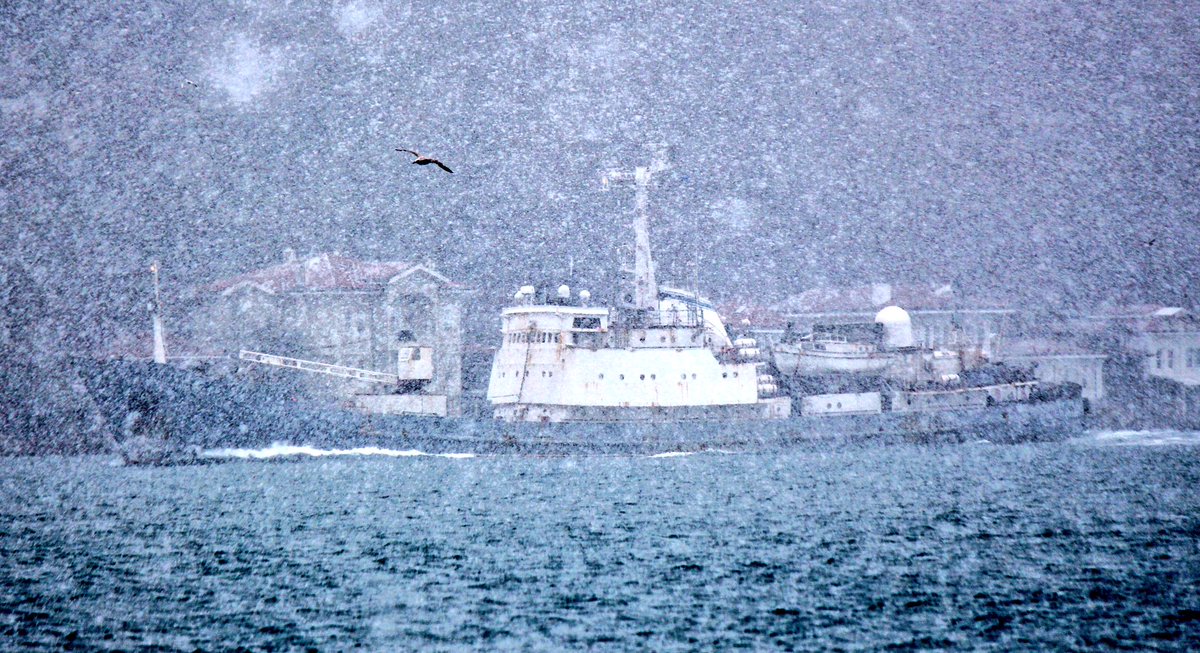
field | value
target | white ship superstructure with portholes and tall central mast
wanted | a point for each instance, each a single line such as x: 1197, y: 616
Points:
x: 663, y: 356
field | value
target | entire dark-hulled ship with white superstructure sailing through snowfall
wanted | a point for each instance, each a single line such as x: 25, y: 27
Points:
x: 657, y: 372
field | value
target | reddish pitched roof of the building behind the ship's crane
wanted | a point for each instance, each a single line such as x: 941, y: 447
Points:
x: 322, y: 272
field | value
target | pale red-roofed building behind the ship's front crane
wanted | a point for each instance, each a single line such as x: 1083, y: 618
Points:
x: 333, y: 309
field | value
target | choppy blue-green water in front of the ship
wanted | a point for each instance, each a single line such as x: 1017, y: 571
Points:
x: 1076, y: 546
